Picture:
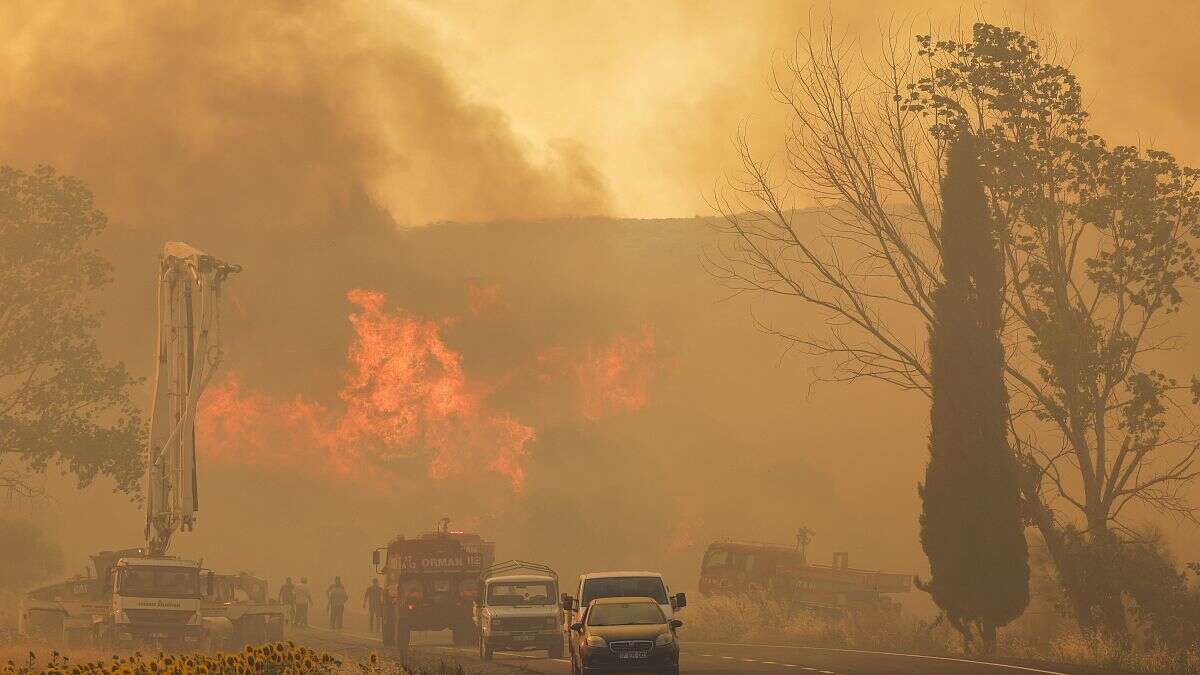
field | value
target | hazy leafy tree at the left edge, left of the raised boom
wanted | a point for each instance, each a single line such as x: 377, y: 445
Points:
x: 61, y: 403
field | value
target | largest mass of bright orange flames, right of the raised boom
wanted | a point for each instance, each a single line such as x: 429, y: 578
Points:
x: 405, y: 395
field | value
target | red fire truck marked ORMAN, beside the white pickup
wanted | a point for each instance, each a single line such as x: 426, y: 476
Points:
x: 430, y: 583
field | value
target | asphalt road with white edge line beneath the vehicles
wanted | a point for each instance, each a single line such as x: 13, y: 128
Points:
x: 722, y: 659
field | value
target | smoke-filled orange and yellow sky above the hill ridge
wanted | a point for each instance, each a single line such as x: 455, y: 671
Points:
x: 479, y: 111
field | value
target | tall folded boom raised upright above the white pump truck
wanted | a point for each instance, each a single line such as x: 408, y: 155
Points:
x: 189, y: 353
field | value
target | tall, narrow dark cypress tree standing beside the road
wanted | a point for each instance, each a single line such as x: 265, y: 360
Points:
x: 971, y: 524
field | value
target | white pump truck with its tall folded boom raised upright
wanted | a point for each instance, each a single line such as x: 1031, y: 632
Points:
x: 145, y: 596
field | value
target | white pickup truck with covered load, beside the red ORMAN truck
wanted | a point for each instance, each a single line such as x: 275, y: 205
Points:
x: 517, y: 610
